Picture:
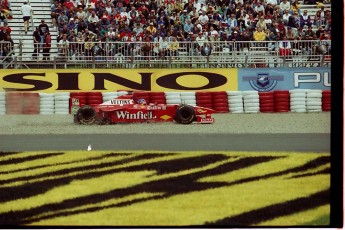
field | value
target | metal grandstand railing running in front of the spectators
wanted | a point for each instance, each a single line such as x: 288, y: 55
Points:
x: 194, y: 54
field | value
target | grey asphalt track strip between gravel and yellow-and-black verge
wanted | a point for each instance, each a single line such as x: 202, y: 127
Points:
x: 168, y: 142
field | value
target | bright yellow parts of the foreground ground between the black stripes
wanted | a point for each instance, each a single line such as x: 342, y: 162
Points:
x: 187, y: 209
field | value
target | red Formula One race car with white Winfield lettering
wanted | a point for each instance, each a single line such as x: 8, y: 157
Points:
x: 125, y: 110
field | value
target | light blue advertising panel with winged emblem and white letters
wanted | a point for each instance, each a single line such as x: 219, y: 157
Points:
x: 269, y: 79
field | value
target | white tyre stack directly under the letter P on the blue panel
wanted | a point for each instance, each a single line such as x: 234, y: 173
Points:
x: 298, y: 103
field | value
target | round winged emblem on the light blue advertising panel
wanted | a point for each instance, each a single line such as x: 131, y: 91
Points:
x: 263, y: 82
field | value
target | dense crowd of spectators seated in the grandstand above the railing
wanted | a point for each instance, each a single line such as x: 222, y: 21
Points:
x: 170, y: 22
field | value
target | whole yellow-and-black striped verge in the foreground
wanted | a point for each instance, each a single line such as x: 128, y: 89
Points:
x: 164, y: 189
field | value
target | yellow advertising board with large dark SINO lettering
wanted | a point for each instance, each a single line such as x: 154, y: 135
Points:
x: 103, y: 80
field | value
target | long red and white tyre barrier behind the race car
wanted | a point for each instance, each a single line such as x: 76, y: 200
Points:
x: 296, y: 100
